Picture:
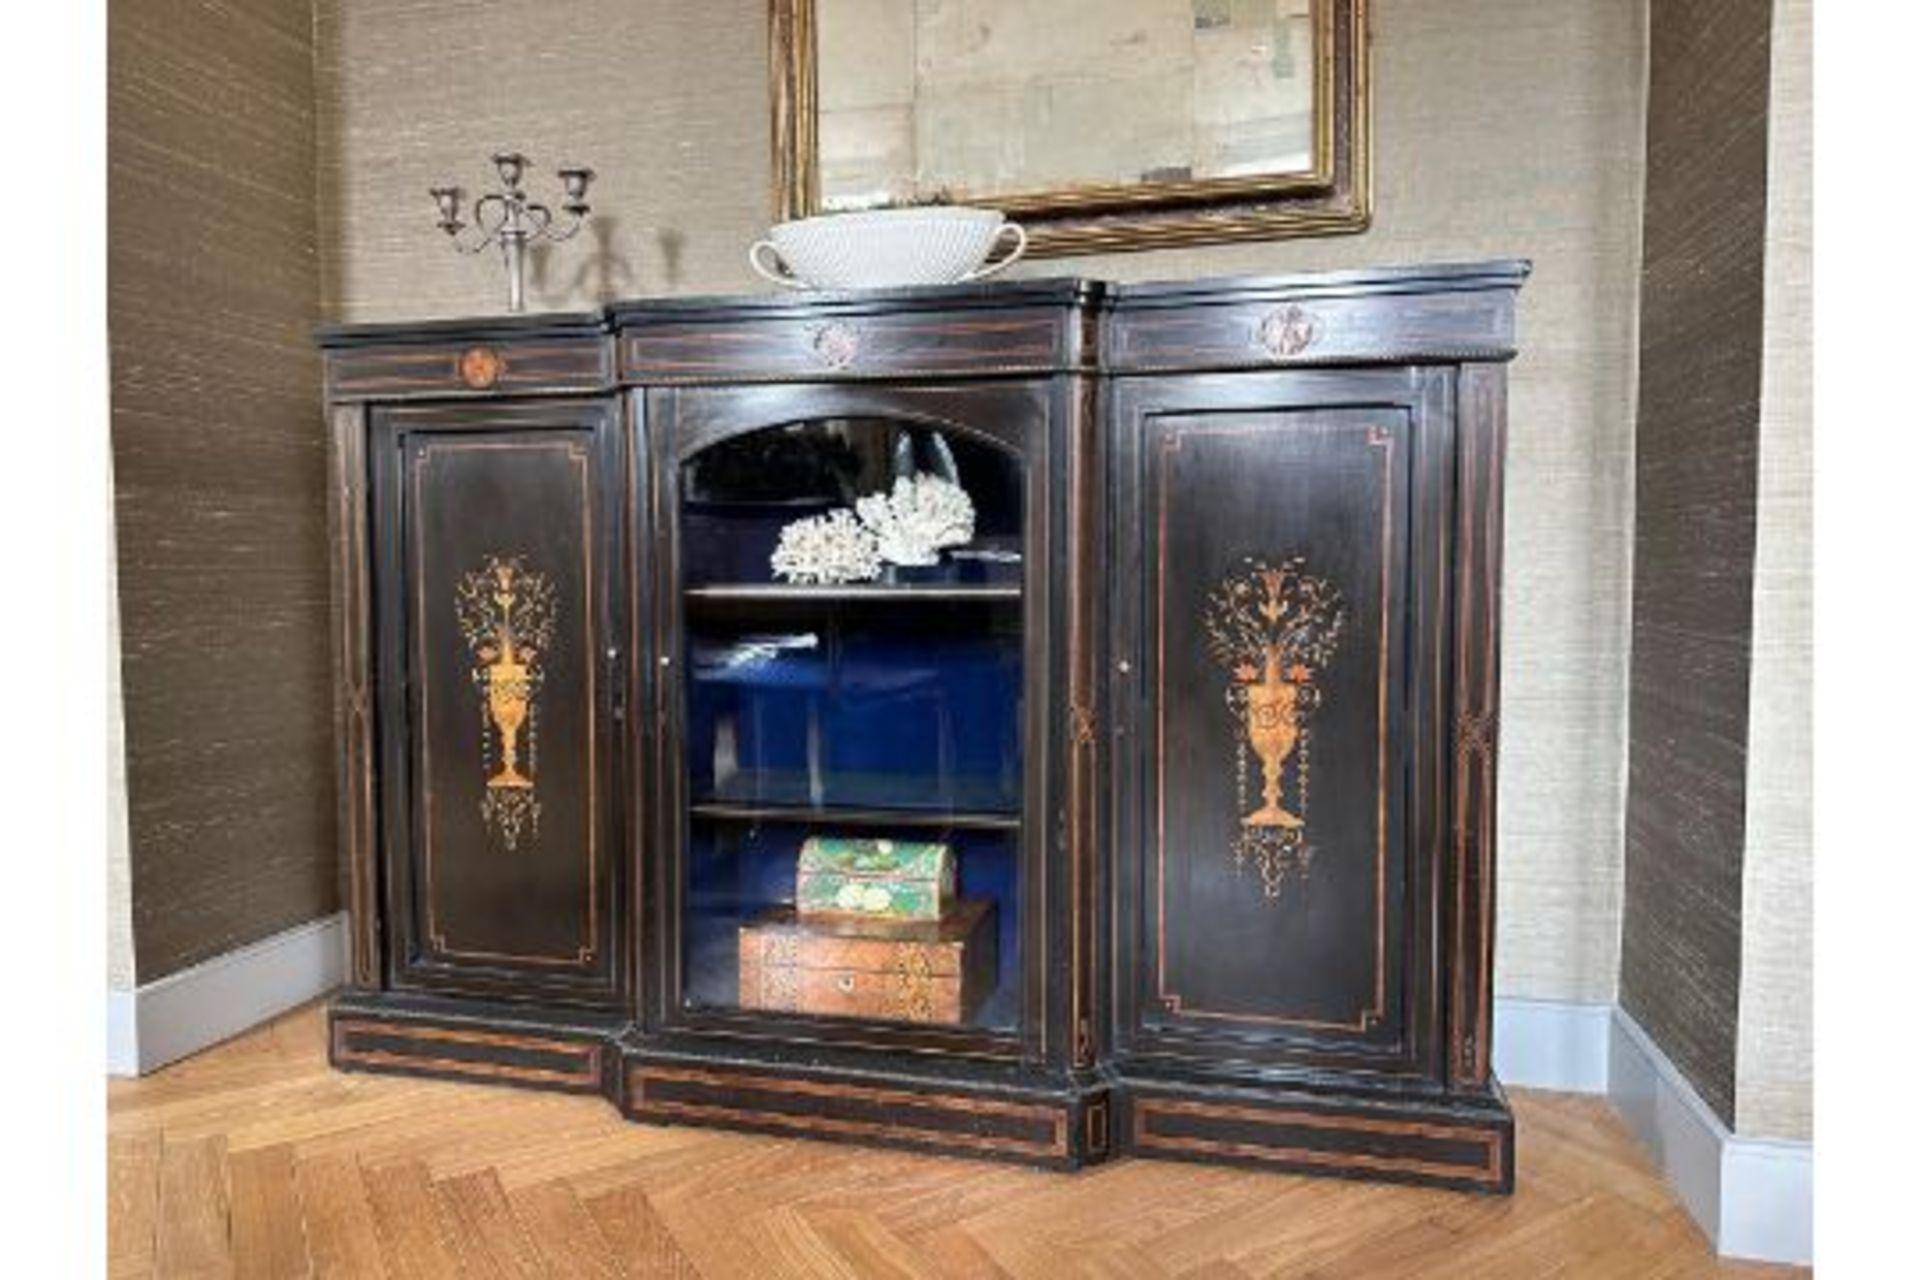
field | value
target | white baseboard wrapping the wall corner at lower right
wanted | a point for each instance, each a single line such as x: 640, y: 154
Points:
x: 1752, y: 1197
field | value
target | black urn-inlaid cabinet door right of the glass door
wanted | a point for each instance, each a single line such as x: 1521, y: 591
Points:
x: 1278, y: 617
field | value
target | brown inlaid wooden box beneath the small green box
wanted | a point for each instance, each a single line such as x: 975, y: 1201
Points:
x: 911, y: 972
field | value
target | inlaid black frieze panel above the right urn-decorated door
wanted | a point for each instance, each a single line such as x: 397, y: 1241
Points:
x: 1280, y: 325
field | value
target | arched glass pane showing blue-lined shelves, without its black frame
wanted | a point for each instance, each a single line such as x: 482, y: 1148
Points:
x: 852, y: 721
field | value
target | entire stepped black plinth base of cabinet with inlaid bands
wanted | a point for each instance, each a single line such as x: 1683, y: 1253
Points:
x: 1452, y: 1143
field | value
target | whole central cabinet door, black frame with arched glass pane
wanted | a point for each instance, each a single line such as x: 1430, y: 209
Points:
x: 888, y: 711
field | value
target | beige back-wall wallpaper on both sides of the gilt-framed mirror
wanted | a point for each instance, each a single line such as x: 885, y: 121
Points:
x: 1506, y: 128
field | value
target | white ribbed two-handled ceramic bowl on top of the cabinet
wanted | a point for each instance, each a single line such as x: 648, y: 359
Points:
x: 940, y: 245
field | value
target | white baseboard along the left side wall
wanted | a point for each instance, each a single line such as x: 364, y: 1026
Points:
x: 218, y: 999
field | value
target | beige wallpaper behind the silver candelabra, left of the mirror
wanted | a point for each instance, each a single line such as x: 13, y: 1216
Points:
x: 667, y: 103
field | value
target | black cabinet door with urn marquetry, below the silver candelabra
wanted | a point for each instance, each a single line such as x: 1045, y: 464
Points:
x: 496, y: 533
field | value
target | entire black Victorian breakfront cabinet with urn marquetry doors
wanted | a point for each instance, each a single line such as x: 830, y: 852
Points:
x: 1149, y: 813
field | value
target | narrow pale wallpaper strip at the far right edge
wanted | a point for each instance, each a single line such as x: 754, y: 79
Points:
x: 1775, y: 1068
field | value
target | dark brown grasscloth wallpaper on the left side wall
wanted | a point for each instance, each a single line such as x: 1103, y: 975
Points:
x: 220, y: 473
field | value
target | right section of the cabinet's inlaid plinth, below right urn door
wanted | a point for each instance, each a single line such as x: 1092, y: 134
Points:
x: 1462, y: 1145
